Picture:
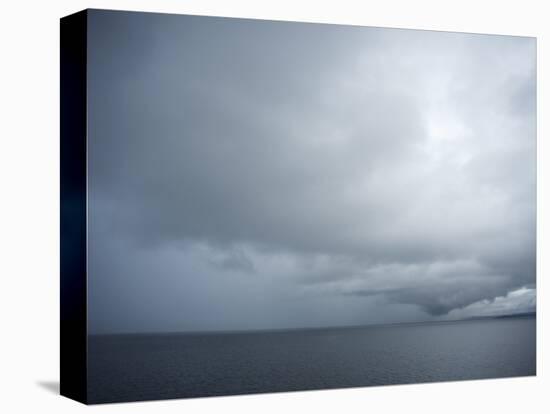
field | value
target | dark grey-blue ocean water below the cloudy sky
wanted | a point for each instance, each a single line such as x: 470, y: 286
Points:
x: 142, y: 367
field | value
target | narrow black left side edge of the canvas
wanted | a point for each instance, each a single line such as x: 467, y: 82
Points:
x: 73, y: 223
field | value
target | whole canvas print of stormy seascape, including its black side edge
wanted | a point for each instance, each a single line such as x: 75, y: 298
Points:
x: 256, y: 206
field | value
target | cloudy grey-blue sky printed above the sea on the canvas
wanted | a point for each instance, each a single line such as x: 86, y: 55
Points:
x: 248, y: 174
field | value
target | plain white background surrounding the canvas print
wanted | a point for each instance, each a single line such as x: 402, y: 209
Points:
x: 29, y: 204
